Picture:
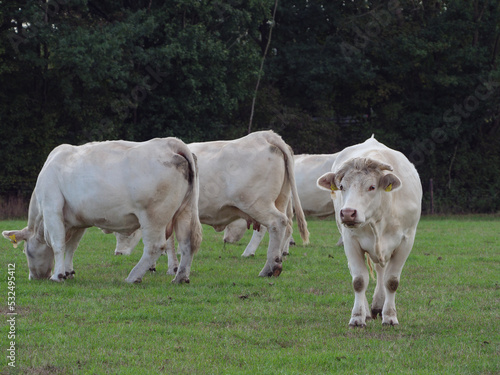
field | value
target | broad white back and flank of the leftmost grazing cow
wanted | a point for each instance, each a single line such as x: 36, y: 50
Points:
x: 103, y: 181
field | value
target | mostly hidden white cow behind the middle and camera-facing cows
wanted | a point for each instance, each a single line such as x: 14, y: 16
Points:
x: 314, y: 202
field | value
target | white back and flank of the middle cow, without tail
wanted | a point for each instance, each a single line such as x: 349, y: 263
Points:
x: 232, y: 172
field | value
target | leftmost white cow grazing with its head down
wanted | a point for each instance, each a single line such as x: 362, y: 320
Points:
x: 118, y: 186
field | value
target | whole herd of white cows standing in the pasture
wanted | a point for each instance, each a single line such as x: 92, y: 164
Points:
x: 162, y: 187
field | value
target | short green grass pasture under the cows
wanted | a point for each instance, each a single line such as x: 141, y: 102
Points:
x: 229, y: 321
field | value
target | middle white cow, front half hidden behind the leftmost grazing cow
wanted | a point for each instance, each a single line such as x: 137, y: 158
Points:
x: 250, y: 178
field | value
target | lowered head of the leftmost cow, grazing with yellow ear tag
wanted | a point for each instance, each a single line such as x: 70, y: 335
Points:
x: 40, y: 256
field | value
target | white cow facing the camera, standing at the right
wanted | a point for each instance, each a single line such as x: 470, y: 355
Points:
x: 377, y: 203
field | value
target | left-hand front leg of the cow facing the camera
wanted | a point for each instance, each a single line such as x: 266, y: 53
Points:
x: 360, y: 278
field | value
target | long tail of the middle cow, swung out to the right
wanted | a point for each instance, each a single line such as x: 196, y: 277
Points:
x: 289, y: 166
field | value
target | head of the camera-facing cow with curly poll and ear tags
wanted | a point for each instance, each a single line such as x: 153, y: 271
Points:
x: 361, y: 184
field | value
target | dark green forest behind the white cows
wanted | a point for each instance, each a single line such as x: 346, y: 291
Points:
x: 423, y: 76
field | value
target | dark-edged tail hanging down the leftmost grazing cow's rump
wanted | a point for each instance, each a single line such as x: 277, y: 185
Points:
x: 193, y: 194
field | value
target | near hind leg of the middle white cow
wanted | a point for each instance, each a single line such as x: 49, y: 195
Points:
x: 273, y: 266
